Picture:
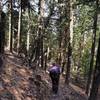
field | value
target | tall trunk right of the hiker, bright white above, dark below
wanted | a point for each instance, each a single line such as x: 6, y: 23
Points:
x: 70, y: 39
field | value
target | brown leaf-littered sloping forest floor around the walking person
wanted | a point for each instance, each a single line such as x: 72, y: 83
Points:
x: 18, y: 82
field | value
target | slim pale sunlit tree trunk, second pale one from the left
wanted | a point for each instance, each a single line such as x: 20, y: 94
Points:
x: 19, y: 27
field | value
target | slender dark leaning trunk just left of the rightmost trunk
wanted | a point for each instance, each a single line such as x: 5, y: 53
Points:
x: 92, y: 50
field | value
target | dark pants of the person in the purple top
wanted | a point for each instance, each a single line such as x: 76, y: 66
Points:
x: 55, y: 81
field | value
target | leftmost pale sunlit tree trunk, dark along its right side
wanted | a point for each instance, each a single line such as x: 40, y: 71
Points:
x: 10, y: 25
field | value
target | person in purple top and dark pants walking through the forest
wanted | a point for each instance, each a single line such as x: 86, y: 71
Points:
x: 55, y: 75
